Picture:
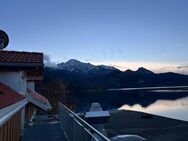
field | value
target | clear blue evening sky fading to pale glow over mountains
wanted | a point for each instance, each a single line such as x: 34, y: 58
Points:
x: 123, y: 33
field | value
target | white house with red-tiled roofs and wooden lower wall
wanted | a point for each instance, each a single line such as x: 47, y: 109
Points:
x: 18, y: 100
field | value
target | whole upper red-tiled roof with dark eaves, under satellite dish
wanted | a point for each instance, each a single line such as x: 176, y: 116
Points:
x: 31, y: 62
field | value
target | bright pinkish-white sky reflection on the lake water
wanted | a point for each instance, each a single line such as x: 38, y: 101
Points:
x: 177, y: 109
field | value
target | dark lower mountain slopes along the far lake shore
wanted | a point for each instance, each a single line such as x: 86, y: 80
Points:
x: 105, y: 79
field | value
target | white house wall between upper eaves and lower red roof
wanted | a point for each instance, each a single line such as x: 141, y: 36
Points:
x: 15, y: 80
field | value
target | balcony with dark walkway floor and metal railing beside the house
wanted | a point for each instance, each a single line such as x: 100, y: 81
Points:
x: 67, y: 126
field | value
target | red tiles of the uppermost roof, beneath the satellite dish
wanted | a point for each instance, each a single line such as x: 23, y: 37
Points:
x: 20, y: 57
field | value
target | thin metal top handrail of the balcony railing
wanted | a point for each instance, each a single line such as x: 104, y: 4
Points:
x: 85, y: 124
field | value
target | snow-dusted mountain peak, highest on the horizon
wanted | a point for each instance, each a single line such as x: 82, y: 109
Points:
x: 85, y: 68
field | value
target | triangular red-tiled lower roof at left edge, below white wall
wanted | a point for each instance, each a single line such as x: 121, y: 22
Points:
x: 8, y: 96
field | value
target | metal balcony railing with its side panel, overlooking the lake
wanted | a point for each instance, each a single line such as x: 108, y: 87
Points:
x: 76, y: 129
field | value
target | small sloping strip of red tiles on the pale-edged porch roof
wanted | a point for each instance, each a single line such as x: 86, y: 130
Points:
x: 37, y: 96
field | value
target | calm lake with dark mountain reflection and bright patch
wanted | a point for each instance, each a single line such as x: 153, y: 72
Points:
x: 171, y: 103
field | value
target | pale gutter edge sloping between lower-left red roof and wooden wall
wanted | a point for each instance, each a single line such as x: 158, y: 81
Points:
x: 11, y: 112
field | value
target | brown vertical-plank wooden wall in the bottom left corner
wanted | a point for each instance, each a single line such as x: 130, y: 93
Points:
x: 11, y: 131
